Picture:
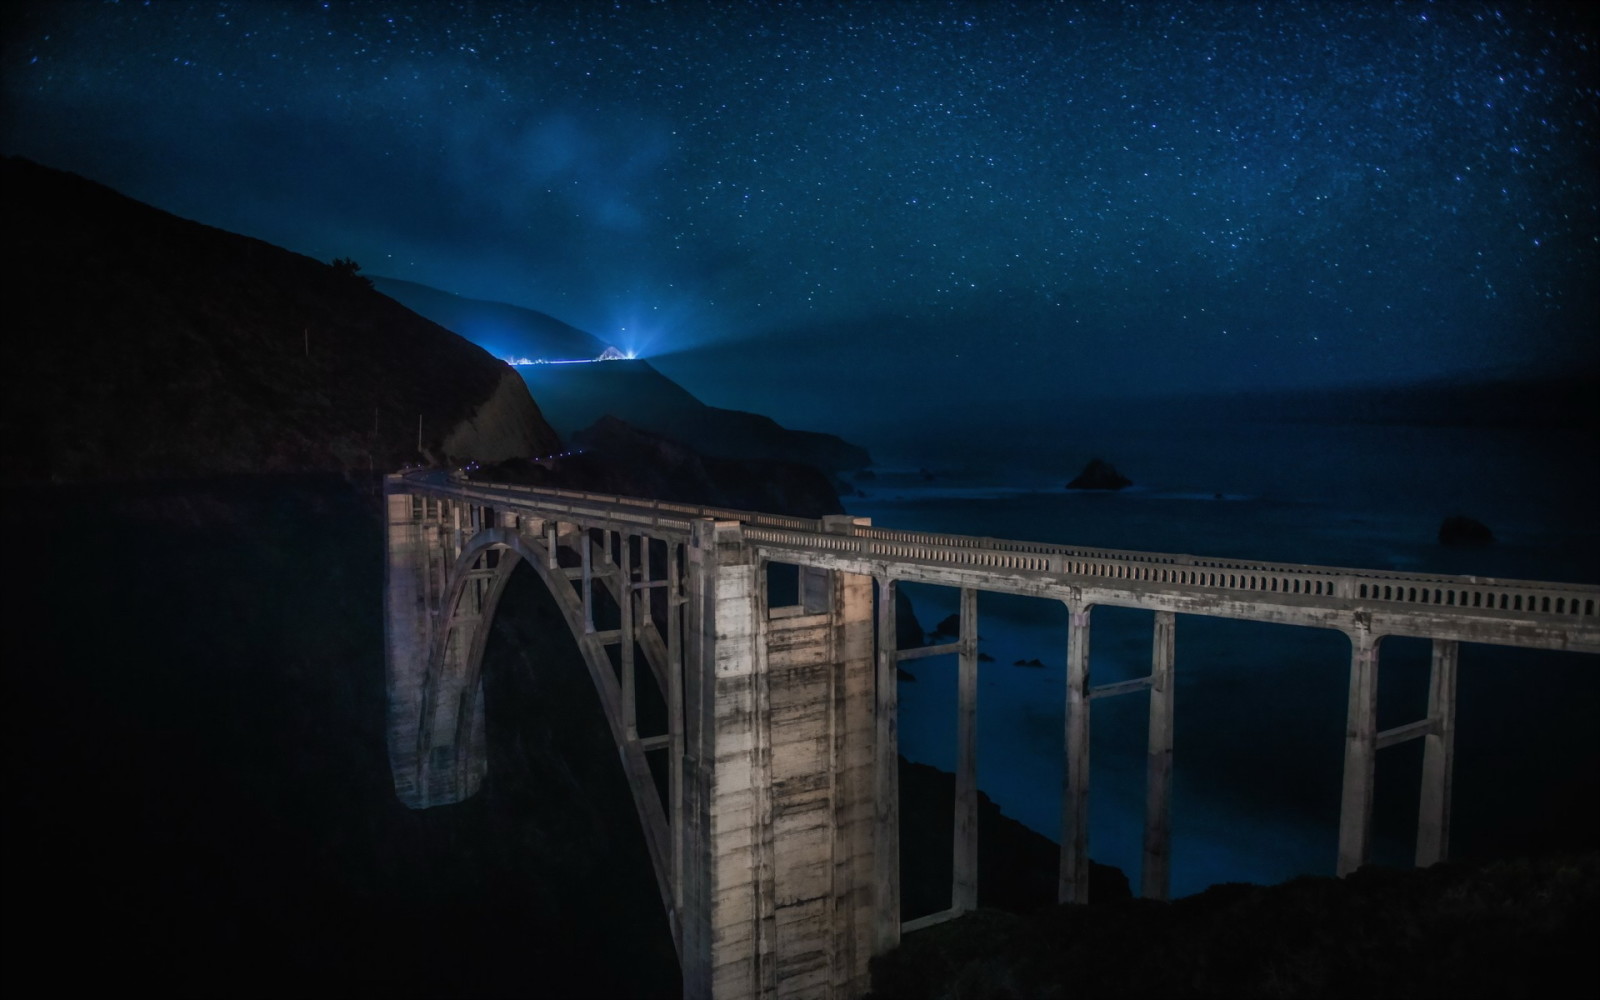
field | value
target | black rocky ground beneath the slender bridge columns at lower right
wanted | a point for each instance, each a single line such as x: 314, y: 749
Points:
x: 1511, y: 929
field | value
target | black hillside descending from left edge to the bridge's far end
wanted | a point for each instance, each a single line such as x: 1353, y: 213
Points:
x: 145, y: 346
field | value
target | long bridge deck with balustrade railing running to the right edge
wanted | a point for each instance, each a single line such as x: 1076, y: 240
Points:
x: 1466, y: 609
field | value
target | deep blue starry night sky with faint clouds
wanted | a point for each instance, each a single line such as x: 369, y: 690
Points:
x: 1015, y: 201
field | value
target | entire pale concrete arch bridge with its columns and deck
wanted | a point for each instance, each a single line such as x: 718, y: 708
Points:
x: 761, y: 742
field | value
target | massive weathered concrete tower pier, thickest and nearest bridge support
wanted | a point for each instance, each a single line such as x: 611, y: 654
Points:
x: 777, y: 804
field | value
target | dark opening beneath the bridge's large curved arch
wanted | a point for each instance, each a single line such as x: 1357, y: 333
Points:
x: 558, y: 791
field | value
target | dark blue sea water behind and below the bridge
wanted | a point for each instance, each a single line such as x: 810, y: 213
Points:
x: 1260, y: 708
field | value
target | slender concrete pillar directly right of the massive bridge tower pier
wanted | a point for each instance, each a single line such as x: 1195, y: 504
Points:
x: 887, y: 767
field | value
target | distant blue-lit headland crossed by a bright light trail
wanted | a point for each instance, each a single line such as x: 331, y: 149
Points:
x: 574, y: 398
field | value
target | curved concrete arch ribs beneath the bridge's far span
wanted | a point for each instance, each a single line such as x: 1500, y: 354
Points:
x: 454, y: 714
